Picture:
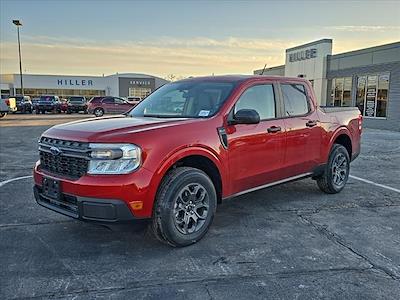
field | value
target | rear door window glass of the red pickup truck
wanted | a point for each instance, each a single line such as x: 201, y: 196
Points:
x: 295, y: 99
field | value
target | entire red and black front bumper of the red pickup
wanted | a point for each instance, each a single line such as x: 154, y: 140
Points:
x: 100, y: 198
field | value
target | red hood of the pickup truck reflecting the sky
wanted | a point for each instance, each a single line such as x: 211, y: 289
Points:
x: 106, y: 128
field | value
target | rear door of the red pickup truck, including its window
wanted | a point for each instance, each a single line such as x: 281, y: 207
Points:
x: 303, y: 138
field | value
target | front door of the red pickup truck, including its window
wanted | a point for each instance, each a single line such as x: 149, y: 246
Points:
x: 256, y: 151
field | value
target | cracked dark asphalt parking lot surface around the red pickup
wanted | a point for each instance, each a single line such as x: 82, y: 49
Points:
x: 287, y: 242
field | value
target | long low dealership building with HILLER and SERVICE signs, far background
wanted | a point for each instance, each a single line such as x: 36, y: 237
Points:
x: 122, y: 85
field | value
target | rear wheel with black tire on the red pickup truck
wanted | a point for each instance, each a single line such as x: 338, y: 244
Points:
x: 334, y: 178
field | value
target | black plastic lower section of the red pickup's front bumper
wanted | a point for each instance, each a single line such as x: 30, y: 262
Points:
x: 85, y: 208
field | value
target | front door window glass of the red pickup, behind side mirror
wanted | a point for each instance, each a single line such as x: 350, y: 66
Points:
x: 261, y: 98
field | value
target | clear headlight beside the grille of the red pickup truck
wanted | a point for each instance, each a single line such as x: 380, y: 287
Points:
x: 114, y: 158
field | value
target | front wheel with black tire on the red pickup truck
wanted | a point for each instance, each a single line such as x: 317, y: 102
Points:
x: 166, y: 222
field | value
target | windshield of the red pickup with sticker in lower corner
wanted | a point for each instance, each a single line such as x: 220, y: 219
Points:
x: 188, y: 99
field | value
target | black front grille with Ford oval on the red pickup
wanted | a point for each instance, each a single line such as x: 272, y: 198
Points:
x: 65, y: 158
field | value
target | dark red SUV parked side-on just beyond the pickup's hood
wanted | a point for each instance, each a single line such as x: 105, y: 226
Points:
x: 110, y: 105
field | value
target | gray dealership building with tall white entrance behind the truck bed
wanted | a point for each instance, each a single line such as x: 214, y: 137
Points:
x: 367, y: 78
